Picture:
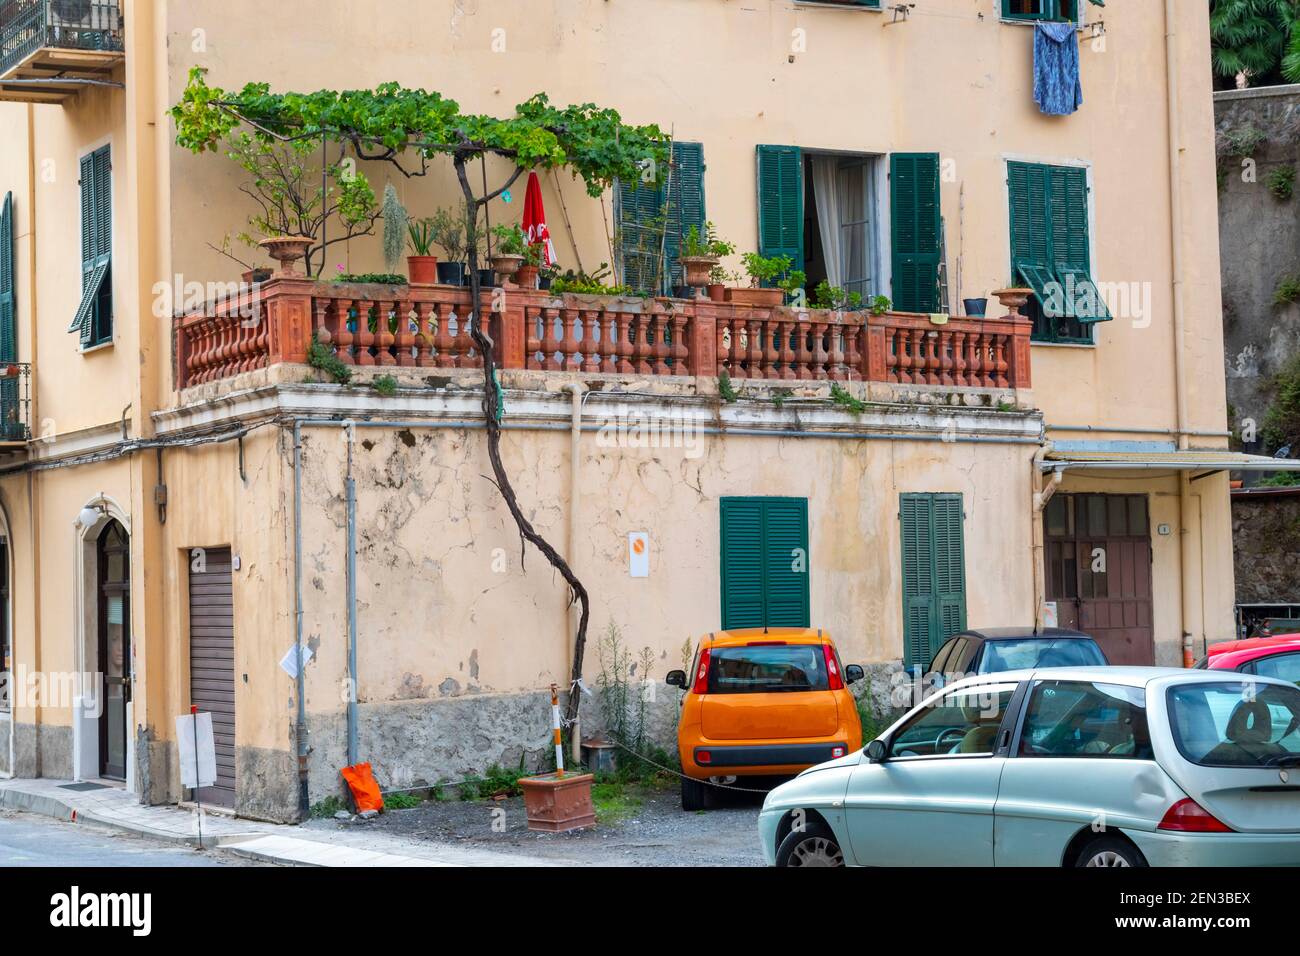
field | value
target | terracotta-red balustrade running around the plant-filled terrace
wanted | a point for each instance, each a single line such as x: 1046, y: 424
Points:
x: 424, y: 327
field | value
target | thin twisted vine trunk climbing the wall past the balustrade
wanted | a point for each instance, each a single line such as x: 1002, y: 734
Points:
x: 491, y: 405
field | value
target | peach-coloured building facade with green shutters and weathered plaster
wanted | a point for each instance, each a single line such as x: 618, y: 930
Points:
x: 177, y: 514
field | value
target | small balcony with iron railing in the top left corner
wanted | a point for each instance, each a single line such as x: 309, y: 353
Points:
x: 51, y: 50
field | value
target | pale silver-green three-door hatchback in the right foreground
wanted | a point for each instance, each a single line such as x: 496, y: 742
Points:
x: 1071, y: 767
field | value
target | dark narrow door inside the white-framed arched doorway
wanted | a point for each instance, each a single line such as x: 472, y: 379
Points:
x: 114, y: 590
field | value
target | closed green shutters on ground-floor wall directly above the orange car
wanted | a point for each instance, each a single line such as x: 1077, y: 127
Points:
x: 765, y: 563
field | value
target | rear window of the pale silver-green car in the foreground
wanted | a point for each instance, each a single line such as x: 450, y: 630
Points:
x: 1237, y: 724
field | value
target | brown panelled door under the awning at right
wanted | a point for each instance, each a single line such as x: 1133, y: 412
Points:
x: 1099, y: 572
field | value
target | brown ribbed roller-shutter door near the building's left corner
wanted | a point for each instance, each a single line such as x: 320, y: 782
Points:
x: 213, y: 661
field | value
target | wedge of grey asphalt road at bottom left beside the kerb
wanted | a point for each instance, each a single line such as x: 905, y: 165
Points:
x: 33, y: 841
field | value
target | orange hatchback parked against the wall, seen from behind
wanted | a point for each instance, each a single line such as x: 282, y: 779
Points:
x: 764, y: 703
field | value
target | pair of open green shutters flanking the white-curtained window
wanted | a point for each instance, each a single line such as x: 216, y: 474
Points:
x: 916, y: 222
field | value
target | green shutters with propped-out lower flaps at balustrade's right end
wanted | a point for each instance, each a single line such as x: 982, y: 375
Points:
x: 1050, y: 250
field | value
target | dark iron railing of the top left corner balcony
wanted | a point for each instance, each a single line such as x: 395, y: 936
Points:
x: 32, y: 25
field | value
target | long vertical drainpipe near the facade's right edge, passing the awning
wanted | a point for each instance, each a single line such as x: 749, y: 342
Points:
x: 1176, y: 227
